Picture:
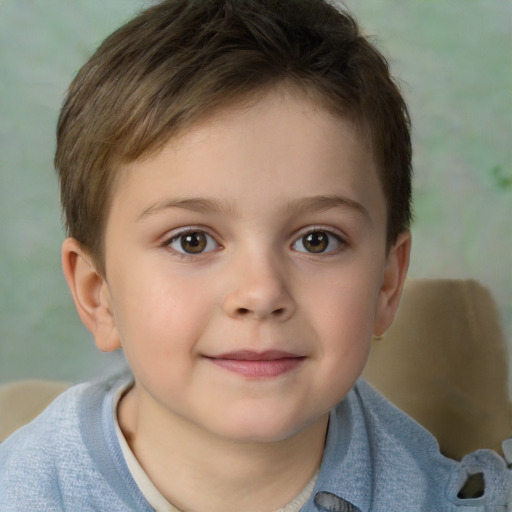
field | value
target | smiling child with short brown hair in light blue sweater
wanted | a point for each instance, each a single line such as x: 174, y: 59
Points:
x: 235, y: 176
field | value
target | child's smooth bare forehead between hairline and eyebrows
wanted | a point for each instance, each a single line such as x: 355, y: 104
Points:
x: 278, y: 146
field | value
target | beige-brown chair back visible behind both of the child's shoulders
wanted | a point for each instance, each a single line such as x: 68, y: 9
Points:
x: 443, y: 362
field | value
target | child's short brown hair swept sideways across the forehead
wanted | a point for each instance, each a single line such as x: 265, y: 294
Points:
x: 176, y: 60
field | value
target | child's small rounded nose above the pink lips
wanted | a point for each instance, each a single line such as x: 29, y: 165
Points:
x: 259, y: 290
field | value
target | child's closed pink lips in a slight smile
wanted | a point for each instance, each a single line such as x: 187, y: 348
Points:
x: 268, y: 364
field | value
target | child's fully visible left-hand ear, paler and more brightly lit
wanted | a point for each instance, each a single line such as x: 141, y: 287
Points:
x: 91, y: 295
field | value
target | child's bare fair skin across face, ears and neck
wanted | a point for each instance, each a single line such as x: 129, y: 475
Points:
x: 287, y: 200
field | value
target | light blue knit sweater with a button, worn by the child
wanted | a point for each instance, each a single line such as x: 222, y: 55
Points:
x: 376, y: 460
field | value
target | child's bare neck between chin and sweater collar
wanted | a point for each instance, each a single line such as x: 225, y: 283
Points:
x: 181, y: 458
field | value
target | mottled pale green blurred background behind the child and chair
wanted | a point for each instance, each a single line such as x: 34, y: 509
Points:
x: 452, y: 58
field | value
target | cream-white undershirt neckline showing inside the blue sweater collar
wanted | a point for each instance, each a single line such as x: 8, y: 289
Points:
x: 154, y: 497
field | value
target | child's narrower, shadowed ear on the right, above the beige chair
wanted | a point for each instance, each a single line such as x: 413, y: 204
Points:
x: 393, y: 279
